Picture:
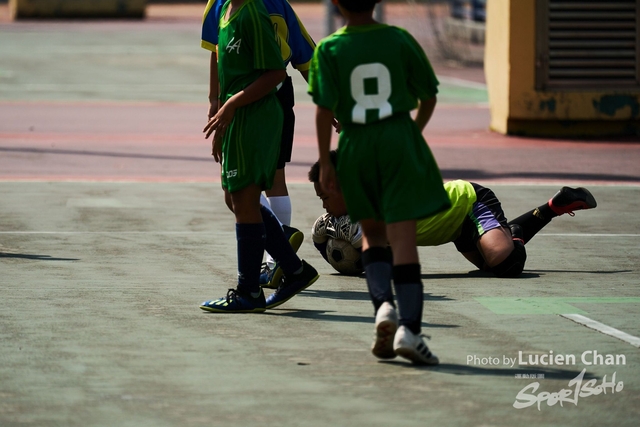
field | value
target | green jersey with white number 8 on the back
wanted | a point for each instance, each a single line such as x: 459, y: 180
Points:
x: 381, y: 82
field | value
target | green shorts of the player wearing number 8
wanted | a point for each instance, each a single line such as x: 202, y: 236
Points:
x: 387, y: 172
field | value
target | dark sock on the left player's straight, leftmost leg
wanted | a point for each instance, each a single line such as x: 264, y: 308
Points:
x: 251, y: 239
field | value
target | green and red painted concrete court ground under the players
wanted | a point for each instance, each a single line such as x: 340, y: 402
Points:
x: 113, y: 230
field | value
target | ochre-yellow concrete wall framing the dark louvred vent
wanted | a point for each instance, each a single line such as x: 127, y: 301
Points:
x: 518, y: 108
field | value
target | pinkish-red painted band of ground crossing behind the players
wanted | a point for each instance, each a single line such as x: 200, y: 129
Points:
x: 162, y: 141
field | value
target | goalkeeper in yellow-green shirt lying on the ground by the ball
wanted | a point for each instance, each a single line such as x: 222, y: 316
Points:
x: 475, y: 223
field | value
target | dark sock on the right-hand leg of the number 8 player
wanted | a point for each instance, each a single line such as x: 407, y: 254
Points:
x: 410, y: 295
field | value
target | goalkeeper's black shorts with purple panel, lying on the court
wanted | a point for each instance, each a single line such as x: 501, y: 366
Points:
x: 486, y: 215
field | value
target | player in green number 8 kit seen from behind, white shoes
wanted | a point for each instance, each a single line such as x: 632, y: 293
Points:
x: 370, y: 76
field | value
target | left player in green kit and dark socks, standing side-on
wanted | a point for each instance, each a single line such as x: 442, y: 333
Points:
x: 247, y: 129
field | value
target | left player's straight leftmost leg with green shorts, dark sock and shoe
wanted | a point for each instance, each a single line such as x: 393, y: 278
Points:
x: 255, y: 132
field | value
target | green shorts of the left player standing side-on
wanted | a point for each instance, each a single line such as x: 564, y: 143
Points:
x: 251, y: 145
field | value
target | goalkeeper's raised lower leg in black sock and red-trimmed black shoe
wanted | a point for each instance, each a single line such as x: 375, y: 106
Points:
x: 567, y: 200
